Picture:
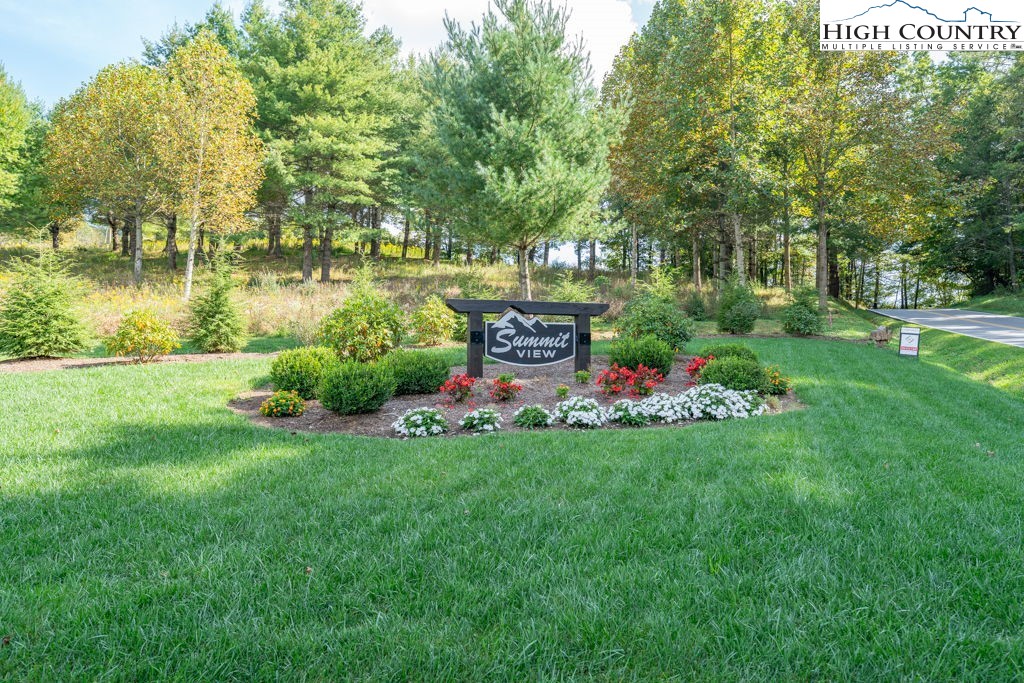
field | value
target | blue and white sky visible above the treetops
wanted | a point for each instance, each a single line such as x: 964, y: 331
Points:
x: 54, y: 47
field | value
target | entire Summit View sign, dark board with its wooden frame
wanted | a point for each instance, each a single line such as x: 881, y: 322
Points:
x: 522, y: 341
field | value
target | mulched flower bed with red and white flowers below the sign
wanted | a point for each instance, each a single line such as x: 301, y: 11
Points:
x: 675, y: 401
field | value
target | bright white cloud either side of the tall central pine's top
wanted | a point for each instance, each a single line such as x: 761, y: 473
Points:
x: 605, y: 25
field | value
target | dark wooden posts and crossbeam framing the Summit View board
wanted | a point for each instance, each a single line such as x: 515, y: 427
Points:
x: 476, y: 309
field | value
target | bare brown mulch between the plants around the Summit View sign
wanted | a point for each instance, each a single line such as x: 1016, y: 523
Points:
x: 539, y: 390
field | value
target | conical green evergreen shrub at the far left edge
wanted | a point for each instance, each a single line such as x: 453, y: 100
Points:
x: 37, y: 317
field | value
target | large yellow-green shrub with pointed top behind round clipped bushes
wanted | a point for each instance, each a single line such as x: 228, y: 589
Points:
x: 367, y: 326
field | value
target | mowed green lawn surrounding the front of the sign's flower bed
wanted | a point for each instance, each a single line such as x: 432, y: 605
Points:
x: 151, y: 534
